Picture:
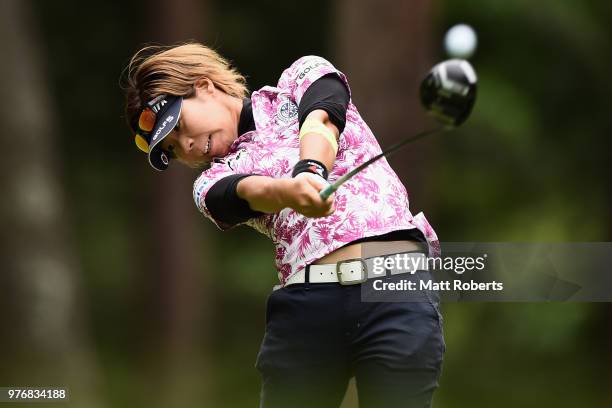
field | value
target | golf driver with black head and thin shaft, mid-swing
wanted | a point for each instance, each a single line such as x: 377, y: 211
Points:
x: 448, y: 92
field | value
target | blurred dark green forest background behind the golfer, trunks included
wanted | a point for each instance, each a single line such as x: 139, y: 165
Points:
x: 114, y: 285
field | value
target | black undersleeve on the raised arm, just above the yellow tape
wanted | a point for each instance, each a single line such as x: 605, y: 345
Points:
x: 328, y: 93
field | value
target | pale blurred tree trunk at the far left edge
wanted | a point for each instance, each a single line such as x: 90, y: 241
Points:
x: 43, y: 340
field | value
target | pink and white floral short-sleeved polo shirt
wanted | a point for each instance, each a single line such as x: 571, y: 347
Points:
x: 374, y: 202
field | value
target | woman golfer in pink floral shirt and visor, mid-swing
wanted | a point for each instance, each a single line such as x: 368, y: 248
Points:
x: 264, y: 159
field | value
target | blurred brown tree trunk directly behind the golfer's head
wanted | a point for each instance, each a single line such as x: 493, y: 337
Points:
x: 181, y: 299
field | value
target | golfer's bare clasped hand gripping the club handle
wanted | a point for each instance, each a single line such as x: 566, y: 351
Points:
x: 302, y: 195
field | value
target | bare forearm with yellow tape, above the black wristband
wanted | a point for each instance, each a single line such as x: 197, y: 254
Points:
x: 316, y: 146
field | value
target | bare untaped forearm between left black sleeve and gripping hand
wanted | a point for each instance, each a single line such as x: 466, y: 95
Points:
x: 263, y: 193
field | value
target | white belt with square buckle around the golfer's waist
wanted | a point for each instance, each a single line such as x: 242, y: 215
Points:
x: 354, y: 271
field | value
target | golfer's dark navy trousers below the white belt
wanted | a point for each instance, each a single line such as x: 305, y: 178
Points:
x: 320, y: 335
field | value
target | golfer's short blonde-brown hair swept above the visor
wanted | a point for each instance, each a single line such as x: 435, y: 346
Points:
x: 155, y: 70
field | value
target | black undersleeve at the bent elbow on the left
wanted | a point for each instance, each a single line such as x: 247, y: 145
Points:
x: 224, y: 204
